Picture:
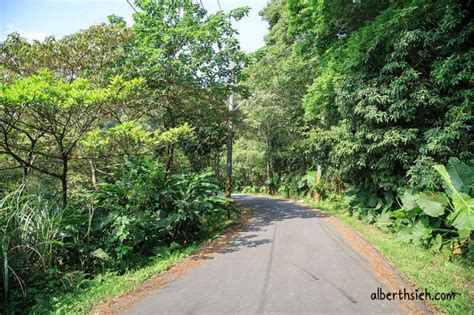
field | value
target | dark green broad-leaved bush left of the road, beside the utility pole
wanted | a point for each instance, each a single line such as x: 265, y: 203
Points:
x: 139, y: 208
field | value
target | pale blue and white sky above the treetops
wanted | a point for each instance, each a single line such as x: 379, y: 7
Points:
x: 35, y: 19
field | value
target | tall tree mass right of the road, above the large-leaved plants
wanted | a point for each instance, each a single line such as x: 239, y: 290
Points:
x: 375, y: 92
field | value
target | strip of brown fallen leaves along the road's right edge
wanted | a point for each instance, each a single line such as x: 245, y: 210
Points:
x: 380, y: 265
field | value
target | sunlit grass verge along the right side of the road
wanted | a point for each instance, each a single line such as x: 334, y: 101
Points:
x: 420, y: 267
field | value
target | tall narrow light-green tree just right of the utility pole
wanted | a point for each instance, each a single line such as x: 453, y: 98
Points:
x: 277, y: 78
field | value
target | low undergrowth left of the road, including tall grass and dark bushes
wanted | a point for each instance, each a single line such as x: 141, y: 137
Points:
x: 138, y: 211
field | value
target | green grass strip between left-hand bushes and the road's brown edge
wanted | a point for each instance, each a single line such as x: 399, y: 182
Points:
x: 109, y: 285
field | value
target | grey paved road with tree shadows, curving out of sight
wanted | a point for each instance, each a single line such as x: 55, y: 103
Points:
x: 286, y: 260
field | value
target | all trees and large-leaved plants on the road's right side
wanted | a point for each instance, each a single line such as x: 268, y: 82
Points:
x: 377, y: 93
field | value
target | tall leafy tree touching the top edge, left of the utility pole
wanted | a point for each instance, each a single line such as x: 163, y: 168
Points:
x: 188, y: 58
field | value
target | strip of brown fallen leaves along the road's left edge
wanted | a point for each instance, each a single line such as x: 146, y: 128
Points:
x: 125, y: 301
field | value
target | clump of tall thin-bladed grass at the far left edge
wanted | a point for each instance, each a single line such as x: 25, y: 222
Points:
x: 29, y: 230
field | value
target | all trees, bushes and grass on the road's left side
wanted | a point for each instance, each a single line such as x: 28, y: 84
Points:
x: 110, y: 148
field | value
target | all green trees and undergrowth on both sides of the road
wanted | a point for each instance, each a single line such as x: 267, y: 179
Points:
x: 112, y: 139
